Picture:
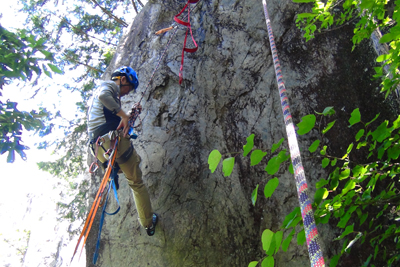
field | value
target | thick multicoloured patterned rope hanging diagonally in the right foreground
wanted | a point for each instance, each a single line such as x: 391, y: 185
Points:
x: 314, y: 249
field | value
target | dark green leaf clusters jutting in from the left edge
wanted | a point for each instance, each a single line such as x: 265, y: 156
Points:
x: 22, y: 57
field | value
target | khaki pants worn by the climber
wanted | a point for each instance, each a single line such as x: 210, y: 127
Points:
x: 134, y: 176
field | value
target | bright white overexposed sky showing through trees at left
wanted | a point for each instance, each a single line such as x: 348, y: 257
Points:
x: 28, y: 196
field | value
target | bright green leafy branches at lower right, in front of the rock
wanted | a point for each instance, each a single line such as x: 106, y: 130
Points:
x: 360, y: 198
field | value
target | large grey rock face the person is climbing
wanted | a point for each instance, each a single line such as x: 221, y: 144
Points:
x: 229, y: 92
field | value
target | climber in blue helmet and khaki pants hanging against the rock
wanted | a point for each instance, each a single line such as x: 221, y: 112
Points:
x: 105, y: 115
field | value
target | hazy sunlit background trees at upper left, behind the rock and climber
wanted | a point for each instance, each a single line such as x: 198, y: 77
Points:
x: 82, y: 36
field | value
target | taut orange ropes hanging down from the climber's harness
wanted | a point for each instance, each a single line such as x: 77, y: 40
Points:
x: 100, y: 193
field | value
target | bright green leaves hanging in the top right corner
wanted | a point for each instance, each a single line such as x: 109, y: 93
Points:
x: 368, y: 16
